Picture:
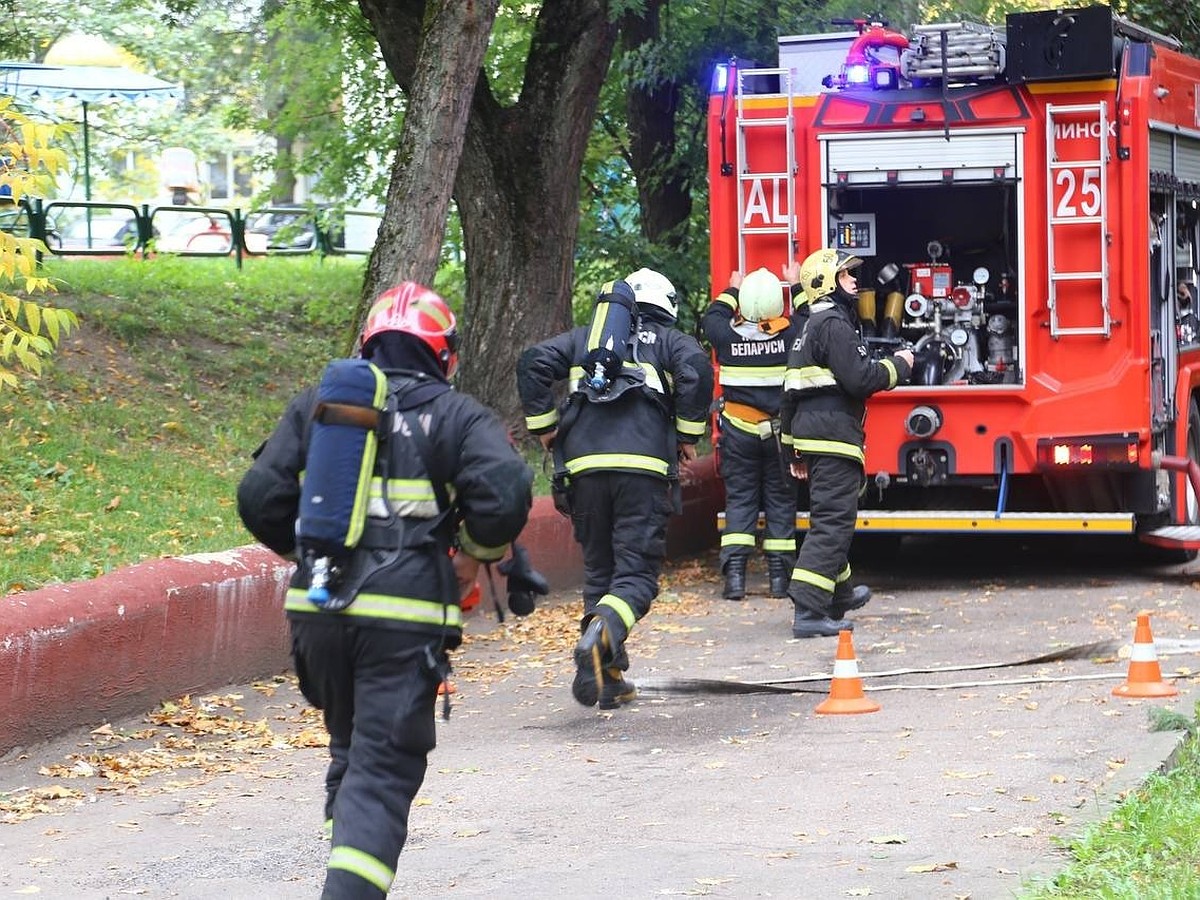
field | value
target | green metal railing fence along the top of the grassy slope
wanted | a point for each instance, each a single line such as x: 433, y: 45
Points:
x: 79, y: 229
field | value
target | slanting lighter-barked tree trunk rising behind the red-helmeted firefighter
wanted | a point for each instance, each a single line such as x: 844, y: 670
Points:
x: 435, y: 51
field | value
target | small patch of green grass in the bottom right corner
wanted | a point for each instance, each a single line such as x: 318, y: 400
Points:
x: 1148, y: 850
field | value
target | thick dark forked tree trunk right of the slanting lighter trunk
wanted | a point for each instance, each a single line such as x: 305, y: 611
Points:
x: 519, y: 199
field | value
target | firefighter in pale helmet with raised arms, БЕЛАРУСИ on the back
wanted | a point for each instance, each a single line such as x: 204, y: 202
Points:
x: 751, y: 338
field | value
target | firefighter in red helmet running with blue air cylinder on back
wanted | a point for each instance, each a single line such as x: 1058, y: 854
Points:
x: 370, y: 644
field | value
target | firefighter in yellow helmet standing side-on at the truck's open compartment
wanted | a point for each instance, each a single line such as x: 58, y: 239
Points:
x: 829, y: 379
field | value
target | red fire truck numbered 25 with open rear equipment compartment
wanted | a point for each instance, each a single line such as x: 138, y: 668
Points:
x: 1027, y: 200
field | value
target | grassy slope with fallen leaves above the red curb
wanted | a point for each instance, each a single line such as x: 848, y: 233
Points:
x: 131, y: 445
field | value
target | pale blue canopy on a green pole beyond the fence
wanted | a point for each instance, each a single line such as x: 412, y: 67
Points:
x: 88, y: 85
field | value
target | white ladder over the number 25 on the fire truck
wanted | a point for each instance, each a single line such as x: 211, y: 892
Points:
x: 1099, y: 220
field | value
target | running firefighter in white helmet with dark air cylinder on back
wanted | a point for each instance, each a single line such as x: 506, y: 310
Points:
x: 639, y: 393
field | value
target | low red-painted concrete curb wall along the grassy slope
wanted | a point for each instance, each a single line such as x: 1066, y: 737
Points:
x: 85, y: 653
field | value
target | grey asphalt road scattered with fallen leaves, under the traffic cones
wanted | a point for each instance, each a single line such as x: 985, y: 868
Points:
x: 961, y: 787
